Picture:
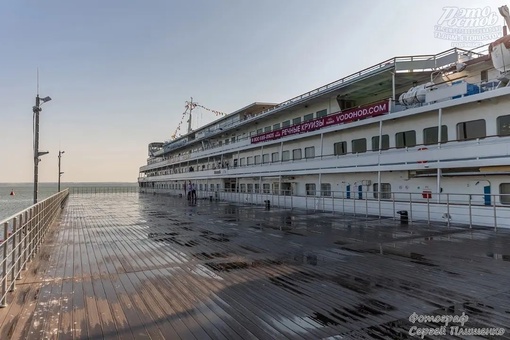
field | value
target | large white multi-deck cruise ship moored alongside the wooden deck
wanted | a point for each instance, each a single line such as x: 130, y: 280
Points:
x: 424, y: 137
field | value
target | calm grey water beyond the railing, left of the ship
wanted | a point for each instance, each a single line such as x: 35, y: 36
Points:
x: 24, y: 194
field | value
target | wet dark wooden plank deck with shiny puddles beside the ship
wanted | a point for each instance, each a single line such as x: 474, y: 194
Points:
x: 135, y: 267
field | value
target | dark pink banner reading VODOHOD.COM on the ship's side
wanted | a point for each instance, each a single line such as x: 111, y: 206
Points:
x: 347, y: 116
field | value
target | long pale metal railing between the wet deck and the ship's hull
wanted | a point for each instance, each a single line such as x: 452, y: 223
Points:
x: 428, y: 206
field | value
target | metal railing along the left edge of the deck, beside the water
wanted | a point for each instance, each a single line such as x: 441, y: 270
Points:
x: 21, y: 236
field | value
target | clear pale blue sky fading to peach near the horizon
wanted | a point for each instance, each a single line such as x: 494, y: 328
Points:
x: 119, y: 72
